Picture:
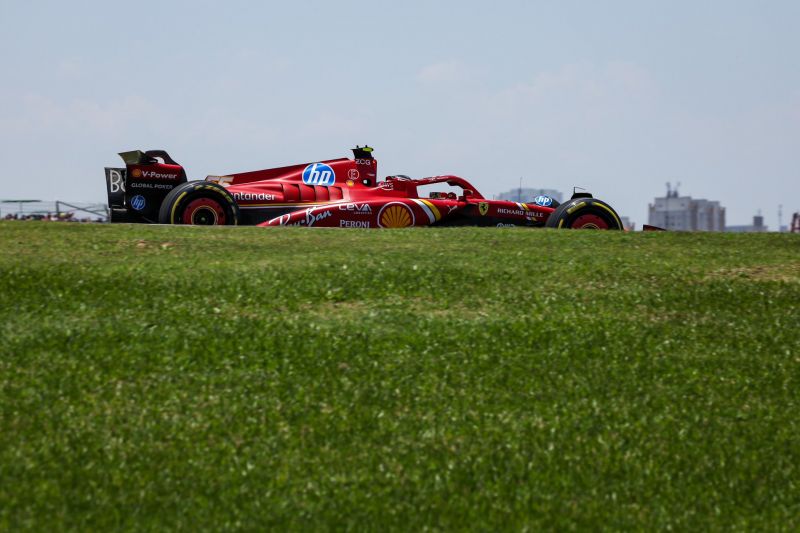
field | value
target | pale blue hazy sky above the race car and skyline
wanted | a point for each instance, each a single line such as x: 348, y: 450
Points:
x: 618, y: 97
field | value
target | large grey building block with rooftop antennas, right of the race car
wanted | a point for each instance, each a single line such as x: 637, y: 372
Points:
x: 684, y: 213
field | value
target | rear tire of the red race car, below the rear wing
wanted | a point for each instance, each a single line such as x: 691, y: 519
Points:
x: 200, y: 203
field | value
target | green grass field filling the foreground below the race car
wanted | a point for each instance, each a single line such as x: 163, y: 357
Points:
x: 248, y: 378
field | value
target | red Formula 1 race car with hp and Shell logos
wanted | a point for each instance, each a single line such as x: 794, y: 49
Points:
x: 340, y: 193
